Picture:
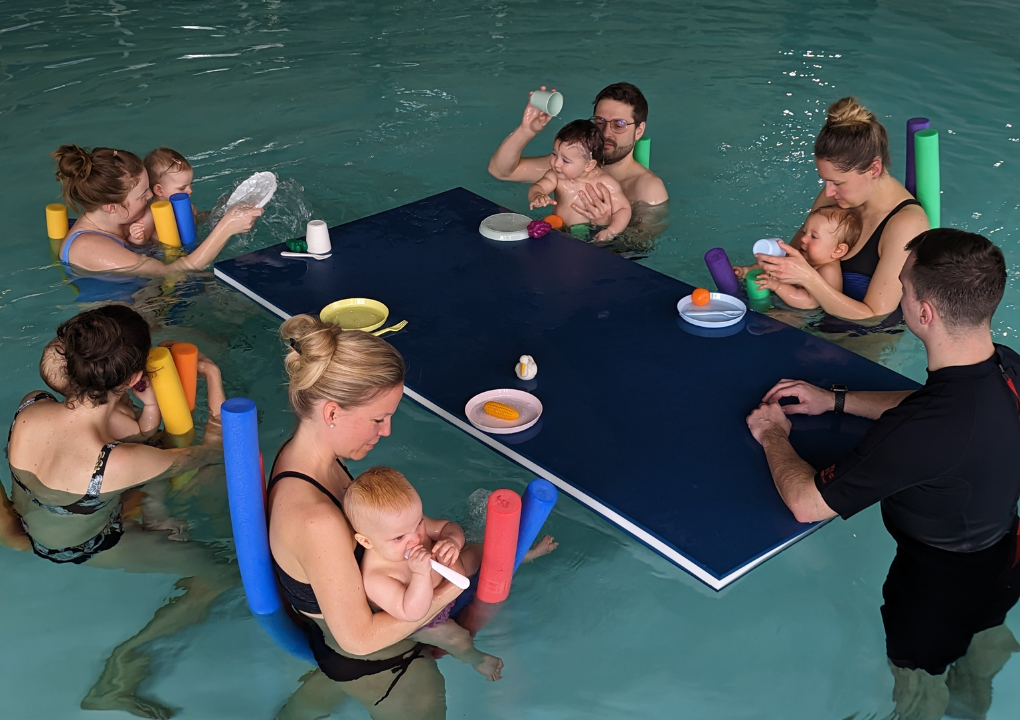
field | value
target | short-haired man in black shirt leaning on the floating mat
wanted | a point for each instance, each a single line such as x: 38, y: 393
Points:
x: 945, y: 464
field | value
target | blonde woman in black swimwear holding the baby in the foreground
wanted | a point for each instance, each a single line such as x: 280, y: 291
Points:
x: 344, y: 388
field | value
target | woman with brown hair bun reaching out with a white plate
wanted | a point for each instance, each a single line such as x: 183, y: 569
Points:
x: 112, y: 188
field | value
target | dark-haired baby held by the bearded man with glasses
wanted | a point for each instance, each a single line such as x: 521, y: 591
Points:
x: 576, y: 163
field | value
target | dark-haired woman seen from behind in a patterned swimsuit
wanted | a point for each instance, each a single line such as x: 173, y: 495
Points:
x: 70, y: 475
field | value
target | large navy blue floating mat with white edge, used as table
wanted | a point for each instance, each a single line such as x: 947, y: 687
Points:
x: 644, y: 422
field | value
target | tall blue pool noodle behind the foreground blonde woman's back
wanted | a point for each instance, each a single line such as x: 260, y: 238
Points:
x: 246, y: 495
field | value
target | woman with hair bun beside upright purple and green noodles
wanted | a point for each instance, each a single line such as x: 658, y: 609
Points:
x: 852, y: 158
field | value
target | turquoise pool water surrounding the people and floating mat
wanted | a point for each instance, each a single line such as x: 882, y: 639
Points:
x: 369, y: 106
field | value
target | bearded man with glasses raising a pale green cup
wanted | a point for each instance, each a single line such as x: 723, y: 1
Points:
x: 621, y: 113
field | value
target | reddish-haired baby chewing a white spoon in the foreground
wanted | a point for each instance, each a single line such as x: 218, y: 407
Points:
x: 400, y: 543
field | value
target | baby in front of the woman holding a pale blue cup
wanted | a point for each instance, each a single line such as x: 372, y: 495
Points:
x: 830, y: 233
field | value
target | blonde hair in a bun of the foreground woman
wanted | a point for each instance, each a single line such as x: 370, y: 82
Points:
x: 350, y: 369
